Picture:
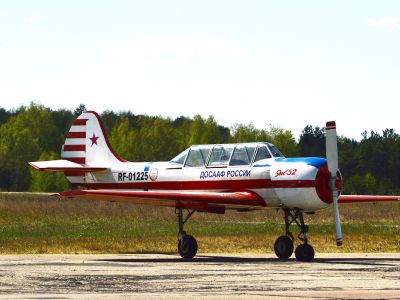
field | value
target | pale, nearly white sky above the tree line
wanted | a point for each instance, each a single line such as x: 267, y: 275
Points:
x: 281, y: 63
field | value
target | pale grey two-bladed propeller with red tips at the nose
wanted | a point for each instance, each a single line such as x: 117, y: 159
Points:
x: 332, y: 158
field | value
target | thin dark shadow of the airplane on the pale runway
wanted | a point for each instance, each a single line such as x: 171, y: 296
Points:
x: 245, y: 260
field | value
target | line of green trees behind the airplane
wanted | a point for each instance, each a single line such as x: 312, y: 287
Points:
x: 369, y: 166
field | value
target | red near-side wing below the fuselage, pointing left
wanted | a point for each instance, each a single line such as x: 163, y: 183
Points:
x: 204, y: 201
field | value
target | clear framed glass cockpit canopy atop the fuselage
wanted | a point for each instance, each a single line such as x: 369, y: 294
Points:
x: 243, y: 154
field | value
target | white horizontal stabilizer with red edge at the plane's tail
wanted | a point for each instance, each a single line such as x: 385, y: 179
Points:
x: 62, y: 165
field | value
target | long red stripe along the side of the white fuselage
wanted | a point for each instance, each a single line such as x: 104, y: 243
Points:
x: 204, y: 185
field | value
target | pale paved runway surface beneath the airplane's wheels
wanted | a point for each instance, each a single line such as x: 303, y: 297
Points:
x: 346, y: 276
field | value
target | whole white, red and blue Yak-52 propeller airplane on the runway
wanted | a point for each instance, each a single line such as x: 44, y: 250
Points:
x: 209, y: 178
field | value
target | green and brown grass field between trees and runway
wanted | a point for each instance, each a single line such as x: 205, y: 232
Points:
x: 38, y: 223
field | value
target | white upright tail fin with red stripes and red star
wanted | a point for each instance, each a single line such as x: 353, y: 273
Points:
x: 87, y: 143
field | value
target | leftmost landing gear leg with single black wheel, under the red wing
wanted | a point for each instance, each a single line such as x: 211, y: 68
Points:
x: 187, y: 244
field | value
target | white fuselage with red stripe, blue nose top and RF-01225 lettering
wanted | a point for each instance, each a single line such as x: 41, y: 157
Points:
x: 279, y: 182
